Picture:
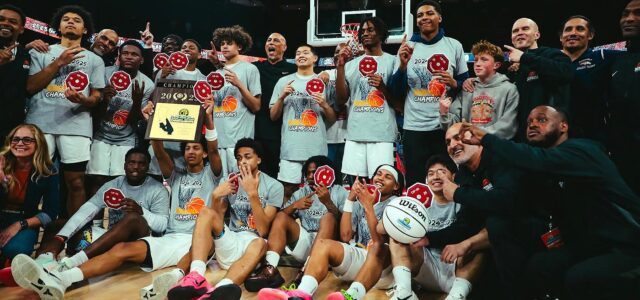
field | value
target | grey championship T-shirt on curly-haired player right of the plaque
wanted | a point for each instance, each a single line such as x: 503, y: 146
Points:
x: 232, y: 117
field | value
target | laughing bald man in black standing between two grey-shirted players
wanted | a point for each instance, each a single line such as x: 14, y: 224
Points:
x: 267, y: 131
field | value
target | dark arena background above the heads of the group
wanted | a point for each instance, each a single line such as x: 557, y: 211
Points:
x: 465, y: 20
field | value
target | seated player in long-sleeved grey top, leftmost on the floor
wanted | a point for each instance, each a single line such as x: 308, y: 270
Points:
x: 144, y: 210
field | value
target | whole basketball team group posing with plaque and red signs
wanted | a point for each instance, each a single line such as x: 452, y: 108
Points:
x: 398, y: 172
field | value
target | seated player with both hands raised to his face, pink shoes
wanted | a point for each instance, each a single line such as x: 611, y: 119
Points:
x: 253, y: 203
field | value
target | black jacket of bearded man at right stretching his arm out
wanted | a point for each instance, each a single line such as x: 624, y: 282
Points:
x: 597, y: 210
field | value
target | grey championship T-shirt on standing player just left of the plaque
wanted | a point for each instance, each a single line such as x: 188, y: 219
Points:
x: 114, y: 128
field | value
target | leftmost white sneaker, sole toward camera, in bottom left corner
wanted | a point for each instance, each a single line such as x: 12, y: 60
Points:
x: 30, y: 275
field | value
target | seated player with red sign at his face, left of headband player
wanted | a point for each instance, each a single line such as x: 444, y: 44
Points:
x: 317, y: 209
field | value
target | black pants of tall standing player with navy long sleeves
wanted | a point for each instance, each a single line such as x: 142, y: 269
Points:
x: 418, y: 147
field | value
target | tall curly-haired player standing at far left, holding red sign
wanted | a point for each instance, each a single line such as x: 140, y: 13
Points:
x: 60, y: 111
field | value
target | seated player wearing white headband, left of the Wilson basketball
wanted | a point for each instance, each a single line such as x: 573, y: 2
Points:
x: 346, y: 259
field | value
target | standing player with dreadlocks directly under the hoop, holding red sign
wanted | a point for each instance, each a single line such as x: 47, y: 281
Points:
x: 371, y: 127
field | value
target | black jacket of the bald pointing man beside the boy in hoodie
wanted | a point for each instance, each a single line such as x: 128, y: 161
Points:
x: 543, y: 78
